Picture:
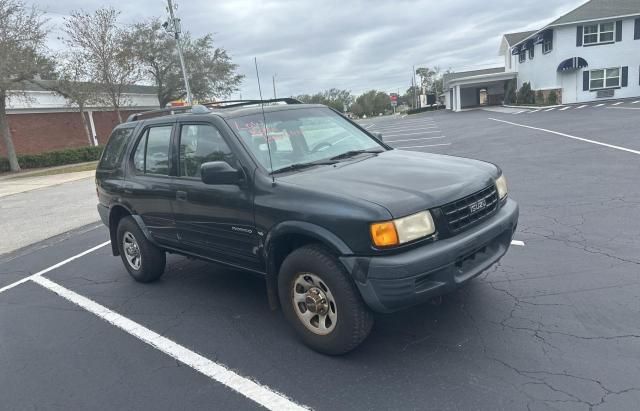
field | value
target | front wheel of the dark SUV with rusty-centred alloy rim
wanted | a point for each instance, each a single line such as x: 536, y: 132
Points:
x: 321, y: 302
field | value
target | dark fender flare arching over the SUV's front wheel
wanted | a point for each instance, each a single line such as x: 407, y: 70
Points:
x: 317, y: 232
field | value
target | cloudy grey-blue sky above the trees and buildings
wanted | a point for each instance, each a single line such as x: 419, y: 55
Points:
x: 358, y: 45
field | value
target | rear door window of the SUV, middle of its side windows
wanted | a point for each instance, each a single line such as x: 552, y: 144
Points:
x: 152, y: 153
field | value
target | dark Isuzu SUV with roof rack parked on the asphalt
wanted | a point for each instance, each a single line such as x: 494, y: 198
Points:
x: 339, y: 223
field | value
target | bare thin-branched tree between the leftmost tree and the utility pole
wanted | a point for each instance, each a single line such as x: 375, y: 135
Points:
x: 101, y: 43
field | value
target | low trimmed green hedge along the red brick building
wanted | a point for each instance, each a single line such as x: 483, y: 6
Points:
x: 55, y: 158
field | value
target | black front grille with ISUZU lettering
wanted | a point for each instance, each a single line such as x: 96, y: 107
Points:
x: 460, y: 215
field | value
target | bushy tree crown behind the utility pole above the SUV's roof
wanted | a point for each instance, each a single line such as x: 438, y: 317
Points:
x: 211, y: 72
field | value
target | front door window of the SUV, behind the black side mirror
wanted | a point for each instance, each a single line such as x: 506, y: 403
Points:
x: 199, y: 144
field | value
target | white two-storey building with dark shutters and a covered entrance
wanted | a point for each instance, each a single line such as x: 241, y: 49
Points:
x: 590, y: 53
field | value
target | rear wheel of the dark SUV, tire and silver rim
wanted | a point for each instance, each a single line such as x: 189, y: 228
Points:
x: 144, y: 261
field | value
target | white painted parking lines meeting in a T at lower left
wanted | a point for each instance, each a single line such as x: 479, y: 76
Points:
x: 260, y: 394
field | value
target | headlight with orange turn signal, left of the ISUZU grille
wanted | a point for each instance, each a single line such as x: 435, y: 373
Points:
x: 402, y: 230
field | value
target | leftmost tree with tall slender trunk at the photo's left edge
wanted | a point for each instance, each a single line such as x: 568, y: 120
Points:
x: 22, y: 57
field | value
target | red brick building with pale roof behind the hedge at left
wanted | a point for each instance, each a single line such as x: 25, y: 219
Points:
x: 41, y: 120
